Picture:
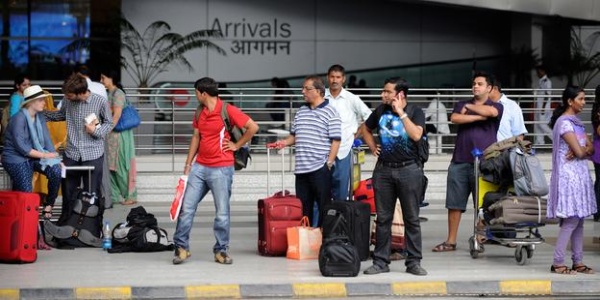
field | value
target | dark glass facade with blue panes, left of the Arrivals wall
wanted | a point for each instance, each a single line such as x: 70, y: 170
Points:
x: 47, y: 38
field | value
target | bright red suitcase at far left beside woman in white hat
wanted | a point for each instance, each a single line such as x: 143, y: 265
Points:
x: 19, y: 214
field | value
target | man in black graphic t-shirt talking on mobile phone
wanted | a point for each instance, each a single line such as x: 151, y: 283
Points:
x: 398, y: 173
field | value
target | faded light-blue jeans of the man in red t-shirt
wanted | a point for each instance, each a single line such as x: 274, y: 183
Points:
x: 202, y: 179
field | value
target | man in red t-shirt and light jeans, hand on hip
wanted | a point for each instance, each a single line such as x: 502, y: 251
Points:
x: 211, y: 170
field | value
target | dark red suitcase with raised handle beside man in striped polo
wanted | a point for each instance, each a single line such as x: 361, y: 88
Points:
x: 275, y: 215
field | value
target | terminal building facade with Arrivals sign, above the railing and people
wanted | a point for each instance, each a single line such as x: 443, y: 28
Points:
x: 434, y: 43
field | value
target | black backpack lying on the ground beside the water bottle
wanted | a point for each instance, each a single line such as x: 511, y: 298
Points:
x: 140, y: 234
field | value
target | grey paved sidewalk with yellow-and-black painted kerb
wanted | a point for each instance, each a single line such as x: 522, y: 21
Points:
x: 94, y: 274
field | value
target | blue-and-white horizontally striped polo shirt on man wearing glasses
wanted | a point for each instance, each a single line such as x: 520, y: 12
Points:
x: 314, y: 130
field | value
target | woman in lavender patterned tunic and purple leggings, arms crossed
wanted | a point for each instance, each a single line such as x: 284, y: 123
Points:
x: 571, y: 197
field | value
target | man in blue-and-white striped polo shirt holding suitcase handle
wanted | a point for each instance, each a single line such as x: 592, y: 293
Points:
x: 316, y: 131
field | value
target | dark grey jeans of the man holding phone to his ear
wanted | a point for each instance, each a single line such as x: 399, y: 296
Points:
x: 404, y: 183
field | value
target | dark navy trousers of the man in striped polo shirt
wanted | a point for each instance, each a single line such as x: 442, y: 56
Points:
x: 314, y: 187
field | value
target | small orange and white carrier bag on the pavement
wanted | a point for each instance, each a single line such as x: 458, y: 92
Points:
x: 304, y: 242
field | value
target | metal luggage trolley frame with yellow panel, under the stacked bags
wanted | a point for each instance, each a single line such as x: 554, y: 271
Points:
x: 527, y: 234
